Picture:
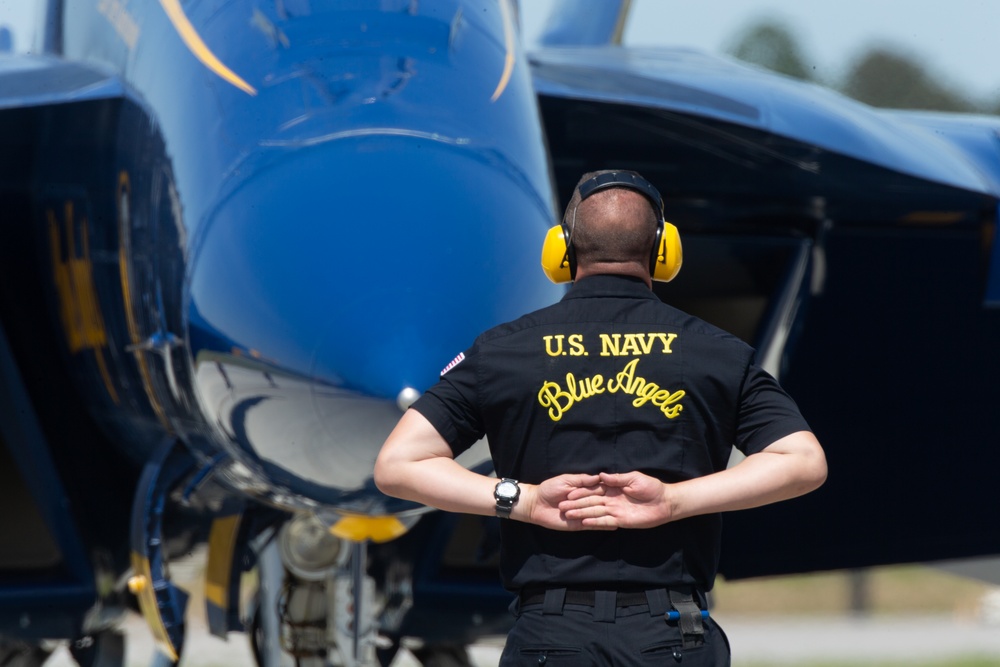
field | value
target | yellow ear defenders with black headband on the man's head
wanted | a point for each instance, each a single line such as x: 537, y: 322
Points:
x: 559, y: 260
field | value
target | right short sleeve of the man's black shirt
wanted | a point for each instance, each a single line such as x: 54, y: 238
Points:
x: 766, y: 413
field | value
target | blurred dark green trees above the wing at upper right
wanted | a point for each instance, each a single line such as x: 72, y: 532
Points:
x: 881, y: 76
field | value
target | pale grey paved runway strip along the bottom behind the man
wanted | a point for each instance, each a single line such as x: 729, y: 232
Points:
x: 769, y: 641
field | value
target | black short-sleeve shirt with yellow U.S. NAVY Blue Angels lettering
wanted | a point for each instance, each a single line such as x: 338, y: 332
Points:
x: 609, y: 379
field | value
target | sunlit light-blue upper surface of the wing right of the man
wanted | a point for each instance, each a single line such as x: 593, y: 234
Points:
x: 710, y: 89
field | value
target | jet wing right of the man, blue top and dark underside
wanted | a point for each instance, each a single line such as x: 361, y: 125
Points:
x: 853, y: 247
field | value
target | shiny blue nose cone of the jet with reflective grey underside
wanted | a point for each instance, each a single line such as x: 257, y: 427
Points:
x: 360, y: 266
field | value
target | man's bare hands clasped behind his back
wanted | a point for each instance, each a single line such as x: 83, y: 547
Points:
x: 600, y: 502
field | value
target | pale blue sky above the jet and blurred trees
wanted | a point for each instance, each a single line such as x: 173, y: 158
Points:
x: 958, y: 40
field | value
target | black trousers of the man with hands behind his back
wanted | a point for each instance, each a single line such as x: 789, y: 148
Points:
x: 628, y: 636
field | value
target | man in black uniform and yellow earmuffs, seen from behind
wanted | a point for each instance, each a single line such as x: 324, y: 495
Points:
x: 610, y: 418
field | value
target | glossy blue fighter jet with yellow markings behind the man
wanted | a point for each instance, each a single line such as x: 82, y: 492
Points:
x: 240, y: 237
